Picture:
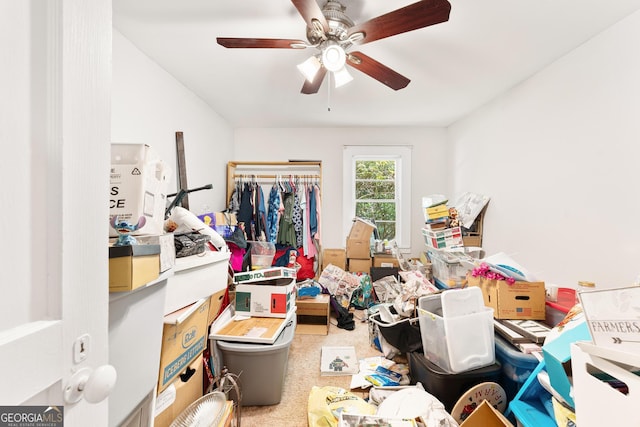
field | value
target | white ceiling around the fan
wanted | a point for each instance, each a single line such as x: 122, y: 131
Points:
x: 485, y: 48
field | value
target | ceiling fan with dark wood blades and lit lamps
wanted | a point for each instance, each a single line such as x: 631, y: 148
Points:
x: 333, y: 33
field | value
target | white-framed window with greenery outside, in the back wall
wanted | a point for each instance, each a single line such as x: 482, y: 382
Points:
x: 377, y: 186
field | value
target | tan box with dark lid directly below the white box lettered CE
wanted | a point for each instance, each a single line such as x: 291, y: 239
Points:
x: 132, y: 266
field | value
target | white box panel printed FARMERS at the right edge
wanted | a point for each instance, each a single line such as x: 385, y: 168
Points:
x: 612, y: 316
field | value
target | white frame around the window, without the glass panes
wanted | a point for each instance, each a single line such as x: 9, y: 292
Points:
x: 402, y: 155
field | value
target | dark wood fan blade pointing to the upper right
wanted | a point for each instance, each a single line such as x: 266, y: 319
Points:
x: 417, y: 15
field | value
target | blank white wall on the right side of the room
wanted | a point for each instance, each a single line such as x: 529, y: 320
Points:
x: 558, y: 156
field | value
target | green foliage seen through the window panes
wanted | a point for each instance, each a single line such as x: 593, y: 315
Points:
x: 376, y: 194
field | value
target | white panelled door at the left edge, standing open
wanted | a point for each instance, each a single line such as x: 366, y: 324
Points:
x: 54, y: 168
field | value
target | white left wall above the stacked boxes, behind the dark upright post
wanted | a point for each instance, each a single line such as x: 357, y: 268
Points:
x: 149, y: 106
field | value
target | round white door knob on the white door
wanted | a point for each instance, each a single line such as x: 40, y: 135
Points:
x: 93, y: 385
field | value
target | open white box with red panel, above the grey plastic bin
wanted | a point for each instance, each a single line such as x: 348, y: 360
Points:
x: 261, y: 300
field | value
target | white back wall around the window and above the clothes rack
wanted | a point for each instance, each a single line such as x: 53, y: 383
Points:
x: 429, y: 174
